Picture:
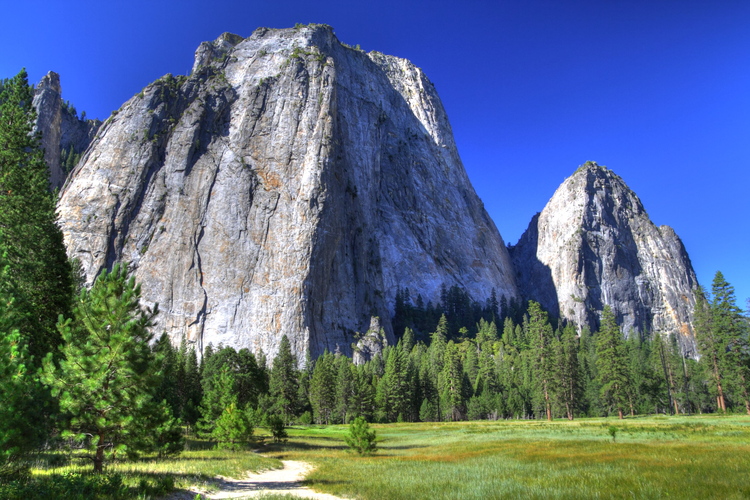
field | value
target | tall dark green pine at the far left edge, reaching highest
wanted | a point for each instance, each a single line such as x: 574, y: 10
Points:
x: 33, y: 244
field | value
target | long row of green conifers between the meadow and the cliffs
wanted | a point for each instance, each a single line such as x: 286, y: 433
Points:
x: 529, y: 369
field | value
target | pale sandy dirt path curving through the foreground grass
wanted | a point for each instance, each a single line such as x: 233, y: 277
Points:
x: 280, y: 481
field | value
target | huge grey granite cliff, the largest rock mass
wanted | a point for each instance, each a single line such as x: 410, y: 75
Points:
x: 289, y: 185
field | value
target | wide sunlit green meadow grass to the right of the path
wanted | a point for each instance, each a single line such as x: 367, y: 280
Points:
x: 654, y: 457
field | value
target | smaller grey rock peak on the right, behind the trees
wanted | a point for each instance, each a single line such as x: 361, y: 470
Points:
x: 594, y: 245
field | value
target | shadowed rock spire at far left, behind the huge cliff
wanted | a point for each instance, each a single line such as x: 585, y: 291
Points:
x: 60, y: 127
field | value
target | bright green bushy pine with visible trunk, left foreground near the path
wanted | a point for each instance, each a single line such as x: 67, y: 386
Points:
x: 107, y: 372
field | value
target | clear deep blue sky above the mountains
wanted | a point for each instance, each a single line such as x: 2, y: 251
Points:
x: 659, y: 91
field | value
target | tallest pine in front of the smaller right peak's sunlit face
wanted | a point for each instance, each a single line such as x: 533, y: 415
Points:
x: 611, y: 362
